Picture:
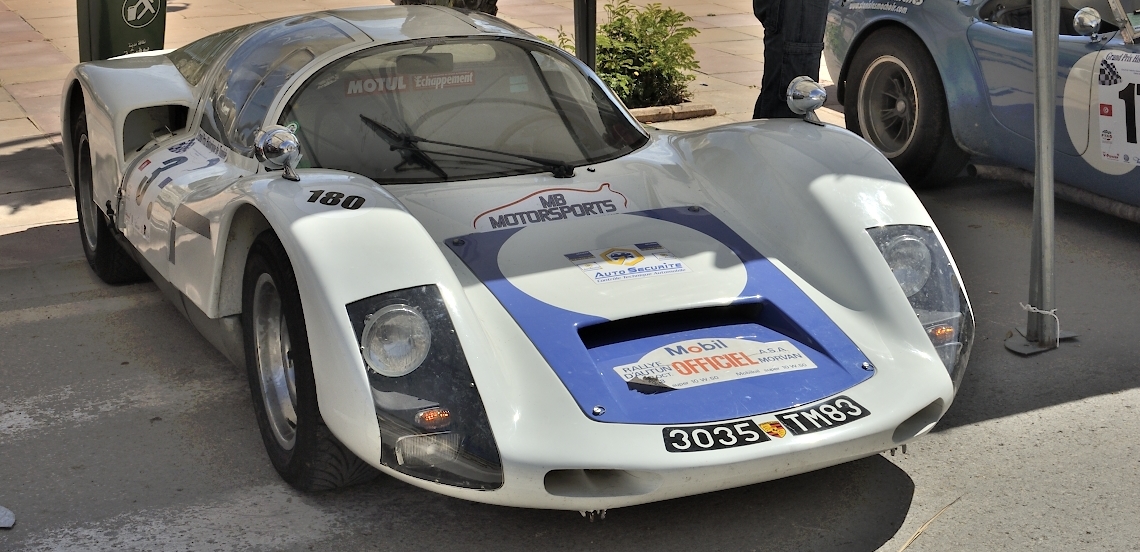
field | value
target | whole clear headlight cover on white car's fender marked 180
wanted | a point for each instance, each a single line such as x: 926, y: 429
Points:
x: 433, y: 421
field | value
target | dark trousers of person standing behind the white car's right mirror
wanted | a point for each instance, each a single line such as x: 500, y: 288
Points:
x: 793, y: 44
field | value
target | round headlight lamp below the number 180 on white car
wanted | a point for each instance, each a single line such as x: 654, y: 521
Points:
x: 396, y: 340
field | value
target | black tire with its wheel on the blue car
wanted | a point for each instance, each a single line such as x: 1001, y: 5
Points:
x: 895, y: 101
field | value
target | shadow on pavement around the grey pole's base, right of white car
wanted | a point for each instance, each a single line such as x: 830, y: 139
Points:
x: 989, y: 229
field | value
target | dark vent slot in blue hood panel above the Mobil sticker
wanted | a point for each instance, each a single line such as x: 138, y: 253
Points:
x: 672, y: 322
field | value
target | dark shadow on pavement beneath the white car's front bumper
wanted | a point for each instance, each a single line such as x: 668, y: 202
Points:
x: 854, y: 507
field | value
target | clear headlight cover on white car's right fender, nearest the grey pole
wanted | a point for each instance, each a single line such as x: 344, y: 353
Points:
x: 924, y: 272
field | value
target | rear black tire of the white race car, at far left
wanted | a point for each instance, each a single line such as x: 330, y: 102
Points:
x: 107, y: 257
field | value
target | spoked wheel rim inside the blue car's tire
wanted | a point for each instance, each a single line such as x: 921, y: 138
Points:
x: 889, y: 107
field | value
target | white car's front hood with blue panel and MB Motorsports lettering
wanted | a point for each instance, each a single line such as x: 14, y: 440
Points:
x: 661, y: 315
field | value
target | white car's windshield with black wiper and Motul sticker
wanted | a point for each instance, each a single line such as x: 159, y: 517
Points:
x: 457, y: 110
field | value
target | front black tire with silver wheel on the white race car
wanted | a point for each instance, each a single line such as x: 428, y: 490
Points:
x: 300, y: 447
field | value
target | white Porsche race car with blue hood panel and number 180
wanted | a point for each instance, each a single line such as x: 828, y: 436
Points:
x: 444, y: 250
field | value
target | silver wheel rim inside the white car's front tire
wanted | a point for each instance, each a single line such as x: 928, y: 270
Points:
x: 275, y: 362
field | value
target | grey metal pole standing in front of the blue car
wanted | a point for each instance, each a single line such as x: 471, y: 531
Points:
x: 1043, y: 329
